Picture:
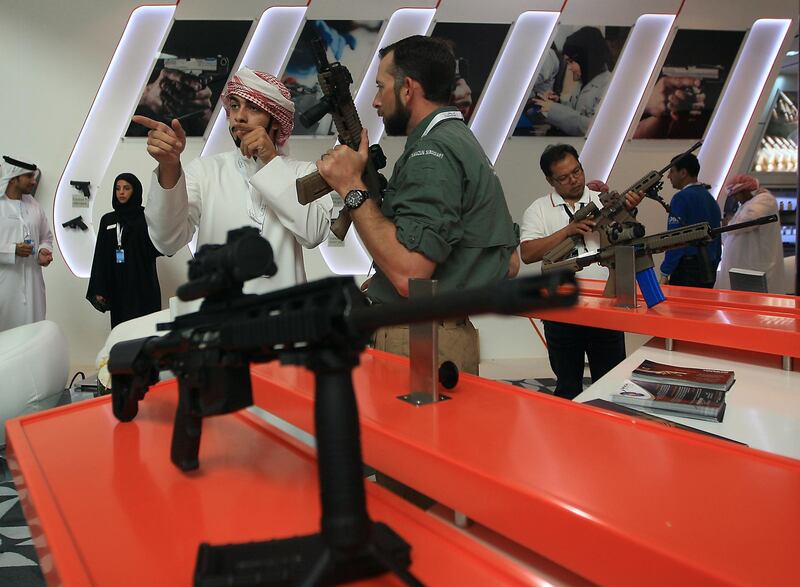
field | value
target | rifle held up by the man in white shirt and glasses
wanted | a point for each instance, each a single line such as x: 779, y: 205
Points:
x: 613, y: 221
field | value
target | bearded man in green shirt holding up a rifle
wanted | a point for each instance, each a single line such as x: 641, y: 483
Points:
x: 443, y: 215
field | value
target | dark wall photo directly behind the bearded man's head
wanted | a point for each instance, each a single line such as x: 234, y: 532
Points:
x: 477, y: 47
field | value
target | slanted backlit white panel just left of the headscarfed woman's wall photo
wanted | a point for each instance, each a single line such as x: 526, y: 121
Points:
x: 505, y: 91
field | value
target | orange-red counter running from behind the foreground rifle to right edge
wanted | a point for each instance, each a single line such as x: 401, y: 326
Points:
x: 614, y: 499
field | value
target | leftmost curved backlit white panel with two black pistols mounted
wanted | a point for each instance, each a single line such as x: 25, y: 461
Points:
x: 106, y: 122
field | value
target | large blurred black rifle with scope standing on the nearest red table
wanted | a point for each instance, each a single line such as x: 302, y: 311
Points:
x: 324, y: 326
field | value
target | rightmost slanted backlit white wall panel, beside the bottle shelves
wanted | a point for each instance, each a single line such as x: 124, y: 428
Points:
x: 740, y: 98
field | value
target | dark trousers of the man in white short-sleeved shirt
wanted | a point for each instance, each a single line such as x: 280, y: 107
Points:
x: 566, y: 345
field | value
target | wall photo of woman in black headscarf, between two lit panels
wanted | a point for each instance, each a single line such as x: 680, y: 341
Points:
x: 571, y: 81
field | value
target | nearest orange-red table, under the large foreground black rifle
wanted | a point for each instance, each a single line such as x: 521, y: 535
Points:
x: 107, y: 507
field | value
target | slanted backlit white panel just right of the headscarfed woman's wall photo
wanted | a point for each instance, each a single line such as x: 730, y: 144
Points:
x: 631, y: 74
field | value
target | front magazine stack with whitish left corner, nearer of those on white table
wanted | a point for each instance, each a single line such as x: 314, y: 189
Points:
x: 676, y: 400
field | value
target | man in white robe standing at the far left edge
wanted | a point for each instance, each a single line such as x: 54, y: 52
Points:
x: 26, y: 245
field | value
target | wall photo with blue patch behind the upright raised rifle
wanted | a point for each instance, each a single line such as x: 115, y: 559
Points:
x: 351, y: 42
